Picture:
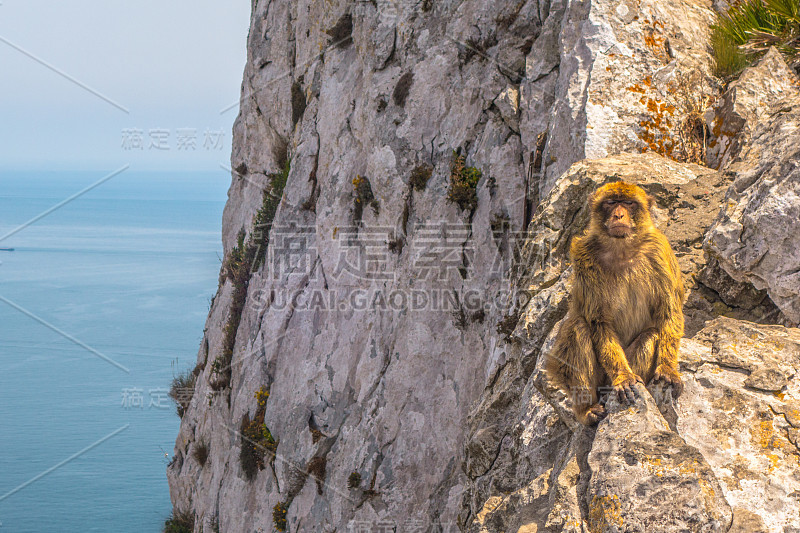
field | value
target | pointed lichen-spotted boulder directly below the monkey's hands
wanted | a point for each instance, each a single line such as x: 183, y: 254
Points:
x: 645, y: 477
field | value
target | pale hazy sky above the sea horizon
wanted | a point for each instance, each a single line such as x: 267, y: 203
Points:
x: 173, y: 65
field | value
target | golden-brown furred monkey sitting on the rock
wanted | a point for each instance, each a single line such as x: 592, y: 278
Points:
x: 624, y: 319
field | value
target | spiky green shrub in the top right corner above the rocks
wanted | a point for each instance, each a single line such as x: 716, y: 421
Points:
x: 750, y: 28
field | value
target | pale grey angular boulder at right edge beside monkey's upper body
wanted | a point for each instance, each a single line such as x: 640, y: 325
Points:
x: 755, y: 237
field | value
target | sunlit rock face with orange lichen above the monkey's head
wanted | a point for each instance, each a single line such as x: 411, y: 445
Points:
x: 618, y: 73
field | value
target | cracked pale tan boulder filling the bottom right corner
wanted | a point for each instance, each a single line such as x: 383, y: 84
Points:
x: 740, y: 409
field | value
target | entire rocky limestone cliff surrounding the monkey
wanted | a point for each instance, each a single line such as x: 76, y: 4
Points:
x: 406, y: 179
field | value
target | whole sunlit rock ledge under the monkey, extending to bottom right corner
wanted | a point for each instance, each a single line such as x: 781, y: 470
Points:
x: 723, y: 457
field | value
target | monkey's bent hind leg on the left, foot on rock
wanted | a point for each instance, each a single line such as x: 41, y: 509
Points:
x: 573, y: 367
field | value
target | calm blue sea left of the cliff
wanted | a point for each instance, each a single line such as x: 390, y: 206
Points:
x: 128, y: 269
